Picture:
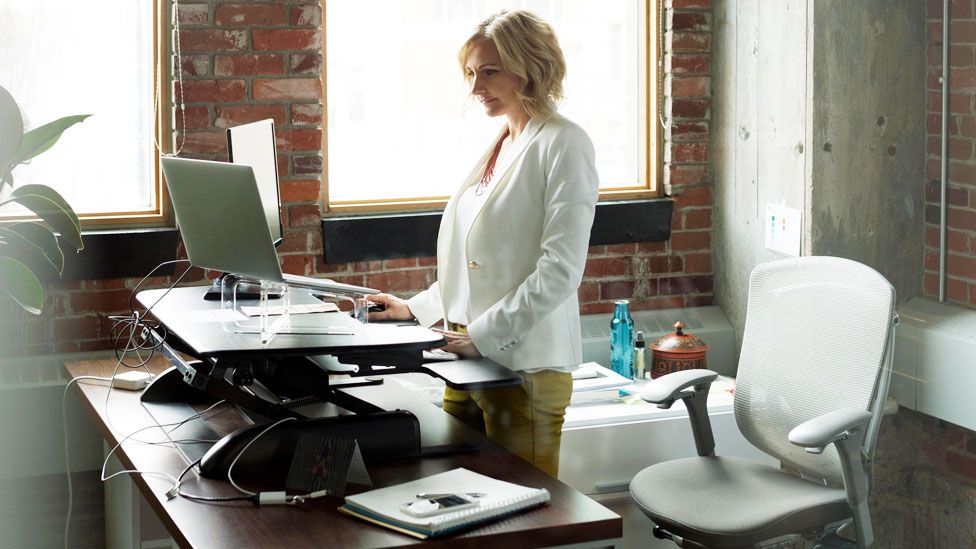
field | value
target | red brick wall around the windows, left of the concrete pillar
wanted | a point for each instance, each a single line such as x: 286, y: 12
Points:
x: 249, y: 61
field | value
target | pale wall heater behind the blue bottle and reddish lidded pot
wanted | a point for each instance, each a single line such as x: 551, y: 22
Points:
x: 708, y: 323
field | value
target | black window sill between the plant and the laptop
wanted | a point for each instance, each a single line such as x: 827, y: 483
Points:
x: 121, y: 253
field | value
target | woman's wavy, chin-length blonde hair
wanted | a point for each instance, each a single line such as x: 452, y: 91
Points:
x: 529, y: 49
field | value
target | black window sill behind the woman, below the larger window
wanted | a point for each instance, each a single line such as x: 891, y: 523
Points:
x: 349, y: 238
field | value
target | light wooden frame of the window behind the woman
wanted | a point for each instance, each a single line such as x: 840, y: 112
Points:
x: 651, y: 163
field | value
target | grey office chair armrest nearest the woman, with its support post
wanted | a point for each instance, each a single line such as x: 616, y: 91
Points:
x: 692, y: 387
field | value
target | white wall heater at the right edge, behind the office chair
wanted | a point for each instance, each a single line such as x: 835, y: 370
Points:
x: 935, y: 361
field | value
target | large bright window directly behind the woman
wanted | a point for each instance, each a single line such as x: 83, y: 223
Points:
x: 396, y: 101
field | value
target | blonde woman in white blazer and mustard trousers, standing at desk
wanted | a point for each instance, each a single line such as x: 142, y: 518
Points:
x: 512, y: 242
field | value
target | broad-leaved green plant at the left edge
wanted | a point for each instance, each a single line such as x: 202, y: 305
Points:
x: 30, y: 250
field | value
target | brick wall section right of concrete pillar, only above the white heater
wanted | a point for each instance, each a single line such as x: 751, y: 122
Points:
x: 961, y: 193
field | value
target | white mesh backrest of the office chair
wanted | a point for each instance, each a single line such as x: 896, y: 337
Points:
x: 815, y: 339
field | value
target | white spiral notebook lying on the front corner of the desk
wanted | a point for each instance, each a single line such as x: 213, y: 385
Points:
x: 382, y: 506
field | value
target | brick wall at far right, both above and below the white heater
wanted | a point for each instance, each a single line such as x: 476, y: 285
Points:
x: 925, y: 473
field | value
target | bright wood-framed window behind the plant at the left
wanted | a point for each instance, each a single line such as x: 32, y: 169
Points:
x: 64, y: 57
